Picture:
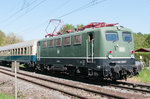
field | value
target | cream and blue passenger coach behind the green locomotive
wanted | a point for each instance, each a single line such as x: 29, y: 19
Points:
x: 24, y: 52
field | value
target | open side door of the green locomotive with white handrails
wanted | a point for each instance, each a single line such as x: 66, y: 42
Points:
x: 90, y: 47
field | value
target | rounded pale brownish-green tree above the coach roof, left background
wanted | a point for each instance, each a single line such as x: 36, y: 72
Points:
x: 11, y: 38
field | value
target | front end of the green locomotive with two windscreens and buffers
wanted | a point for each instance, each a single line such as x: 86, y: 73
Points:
x: 119, y: 53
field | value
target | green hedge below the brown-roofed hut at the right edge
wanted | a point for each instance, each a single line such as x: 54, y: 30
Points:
x: 145, y: 57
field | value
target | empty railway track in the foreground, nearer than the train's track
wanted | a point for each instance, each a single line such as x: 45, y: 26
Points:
x: 68, y: 89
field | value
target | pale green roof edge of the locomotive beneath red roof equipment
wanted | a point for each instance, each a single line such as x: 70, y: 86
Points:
x: 115, y: 28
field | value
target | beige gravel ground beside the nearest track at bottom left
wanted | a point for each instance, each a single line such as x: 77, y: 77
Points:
x: 27, y: 90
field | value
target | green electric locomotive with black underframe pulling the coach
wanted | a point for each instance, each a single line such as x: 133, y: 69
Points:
x: 98, y: 49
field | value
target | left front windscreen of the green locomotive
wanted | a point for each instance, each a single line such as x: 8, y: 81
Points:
x: 111, y: 36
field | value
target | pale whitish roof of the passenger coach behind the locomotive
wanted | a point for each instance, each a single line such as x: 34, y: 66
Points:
x: 19, y: 45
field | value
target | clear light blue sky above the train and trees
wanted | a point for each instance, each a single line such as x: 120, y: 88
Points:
x: 28, y: 19
